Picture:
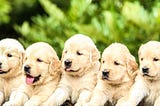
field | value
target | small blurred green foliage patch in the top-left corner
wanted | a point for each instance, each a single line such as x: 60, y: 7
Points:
x: 5, y: 9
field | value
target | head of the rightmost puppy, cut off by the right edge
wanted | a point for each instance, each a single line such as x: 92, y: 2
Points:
x: 149, y: 58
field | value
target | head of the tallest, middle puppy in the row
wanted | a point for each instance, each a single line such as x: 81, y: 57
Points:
x: 79, y: 54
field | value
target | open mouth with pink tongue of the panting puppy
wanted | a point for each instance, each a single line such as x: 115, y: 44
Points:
x: 32, y: 79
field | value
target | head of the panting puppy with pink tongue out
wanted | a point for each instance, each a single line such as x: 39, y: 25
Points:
x: 41, y: 62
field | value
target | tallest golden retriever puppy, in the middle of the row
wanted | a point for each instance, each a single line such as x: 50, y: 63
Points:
x: 80, y: 61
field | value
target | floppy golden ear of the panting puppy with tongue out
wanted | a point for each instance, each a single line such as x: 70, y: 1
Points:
x: 55, y: 67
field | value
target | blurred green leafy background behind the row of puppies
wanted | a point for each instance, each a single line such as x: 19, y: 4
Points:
x: 131, y: 22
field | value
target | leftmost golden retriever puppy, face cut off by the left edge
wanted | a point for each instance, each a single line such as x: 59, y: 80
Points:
x: 11, y: 59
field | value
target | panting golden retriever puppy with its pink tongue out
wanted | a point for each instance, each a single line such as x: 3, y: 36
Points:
x: 42, y: 70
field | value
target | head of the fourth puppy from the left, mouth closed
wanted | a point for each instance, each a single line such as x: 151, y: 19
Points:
x: 117, y: 64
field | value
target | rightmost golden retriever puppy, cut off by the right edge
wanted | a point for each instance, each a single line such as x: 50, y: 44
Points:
x: 147, y: 84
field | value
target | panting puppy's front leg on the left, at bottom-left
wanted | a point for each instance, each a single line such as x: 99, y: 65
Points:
x: 16, y: 99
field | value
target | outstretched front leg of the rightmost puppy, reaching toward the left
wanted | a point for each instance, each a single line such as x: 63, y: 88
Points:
x: 137, y: 93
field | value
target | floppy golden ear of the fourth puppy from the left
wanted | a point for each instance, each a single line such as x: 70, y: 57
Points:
x: 132, y: 66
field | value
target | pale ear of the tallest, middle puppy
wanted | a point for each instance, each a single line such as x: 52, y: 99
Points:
x: 95, y: 55
